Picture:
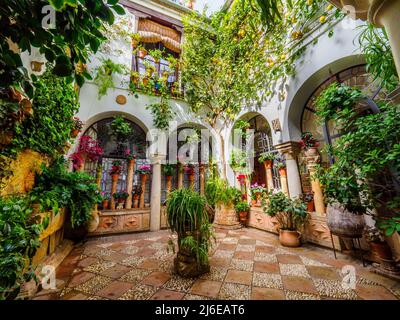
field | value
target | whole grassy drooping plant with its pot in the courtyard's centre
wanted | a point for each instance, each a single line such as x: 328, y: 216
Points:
x: 187, y: 216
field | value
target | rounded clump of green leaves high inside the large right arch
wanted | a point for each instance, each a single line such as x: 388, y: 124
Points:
x: 337, y: 98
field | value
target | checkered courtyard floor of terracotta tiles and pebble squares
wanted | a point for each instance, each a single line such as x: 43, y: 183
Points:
x: 245, y: 264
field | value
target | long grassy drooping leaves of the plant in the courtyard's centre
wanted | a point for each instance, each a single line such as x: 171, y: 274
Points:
x: 187, y: 217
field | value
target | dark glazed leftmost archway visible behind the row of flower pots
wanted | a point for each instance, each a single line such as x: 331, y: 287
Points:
x: 114, y: 149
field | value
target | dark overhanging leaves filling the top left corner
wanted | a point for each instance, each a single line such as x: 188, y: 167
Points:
x: 78, y: 31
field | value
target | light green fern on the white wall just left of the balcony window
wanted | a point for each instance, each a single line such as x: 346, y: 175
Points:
x: 104, y: 75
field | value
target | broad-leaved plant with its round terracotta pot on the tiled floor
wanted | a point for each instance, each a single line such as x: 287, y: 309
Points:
x: 290, y: 214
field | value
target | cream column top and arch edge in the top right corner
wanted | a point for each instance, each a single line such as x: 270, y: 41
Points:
x: 381, y: 13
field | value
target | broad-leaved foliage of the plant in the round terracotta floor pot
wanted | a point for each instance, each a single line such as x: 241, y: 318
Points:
x: 290, y: 214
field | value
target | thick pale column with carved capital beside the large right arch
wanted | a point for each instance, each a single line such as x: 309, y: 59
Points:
x: 290, y: 150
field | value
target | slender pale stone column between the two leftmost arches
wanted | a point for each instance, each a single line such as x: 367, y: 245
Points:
x: 155, y: 213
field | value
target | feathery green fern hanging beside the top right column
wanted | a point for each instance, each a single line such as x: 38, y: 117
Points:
x: 375, y: 46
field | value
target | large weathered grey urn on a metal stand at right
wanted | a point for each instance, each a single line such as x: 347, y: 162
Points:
x: 344, y: 223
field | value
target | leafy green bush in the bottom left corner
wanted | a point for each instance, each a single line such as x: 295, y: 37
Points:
x: 19, y: 239
